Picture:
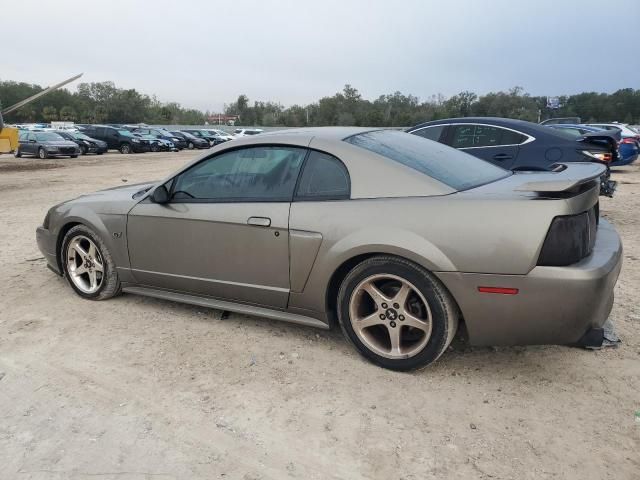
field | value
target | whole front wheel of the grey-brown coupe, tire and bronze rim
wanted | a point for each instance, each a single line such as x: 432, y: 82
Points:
x: 88, y: 265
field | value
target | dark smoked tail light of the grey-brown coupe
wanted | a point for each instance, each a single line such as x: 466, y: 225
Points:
x: 570, y: 239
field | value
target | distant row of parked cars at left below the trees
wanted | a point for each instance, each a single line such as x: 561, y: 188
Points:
x: 43, y: 142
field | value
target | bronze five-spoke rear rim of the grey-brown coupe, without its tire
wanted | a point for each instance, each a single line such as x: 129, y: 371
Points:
x: 390, y: 316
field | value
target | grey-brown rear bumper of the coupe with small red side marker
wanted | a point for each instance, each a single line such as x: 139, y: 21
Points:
x: 554, y: 305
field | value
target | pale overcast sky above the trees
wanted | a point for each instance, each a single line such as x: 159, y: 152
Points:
x: 204, y: 53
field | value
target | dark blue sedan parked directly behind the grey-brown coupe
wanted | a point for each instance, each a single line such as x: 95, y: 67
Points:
x: 520, y: 145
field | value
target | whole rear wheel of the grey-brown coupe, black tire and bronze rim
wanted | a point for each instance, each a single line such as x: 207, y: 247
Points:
x: 428, y: 306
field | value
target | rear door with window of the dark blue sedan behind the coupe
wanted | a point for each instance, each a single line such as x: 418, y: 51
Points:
x: 495, y: 144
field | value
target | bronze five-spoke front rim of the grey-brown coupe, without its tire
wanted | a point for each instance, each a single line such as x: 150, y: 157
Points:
x: 85, y: 264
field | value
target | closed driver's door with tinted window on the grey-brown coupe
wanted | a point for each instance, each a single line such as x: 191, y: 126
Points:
x: 224, y: 232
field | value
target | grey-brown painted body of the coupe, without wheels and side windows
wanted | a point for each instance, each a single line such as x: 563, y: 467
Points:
x: 208, y: 254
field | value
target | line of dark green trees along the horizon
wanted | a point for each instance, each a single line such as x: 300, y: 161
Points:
x: 103, y: 102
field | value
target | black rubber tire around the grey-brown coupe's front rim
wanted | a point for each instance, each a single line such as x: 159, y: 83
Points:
x: 109, y: 282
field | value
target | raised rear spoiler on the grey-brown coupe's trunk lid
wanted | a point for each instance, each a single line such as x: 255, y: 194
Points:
x: 562, y: 178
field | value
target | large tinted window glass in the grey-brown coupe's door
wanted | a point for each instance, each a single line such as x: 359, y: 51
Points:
x: 259, y: 174
